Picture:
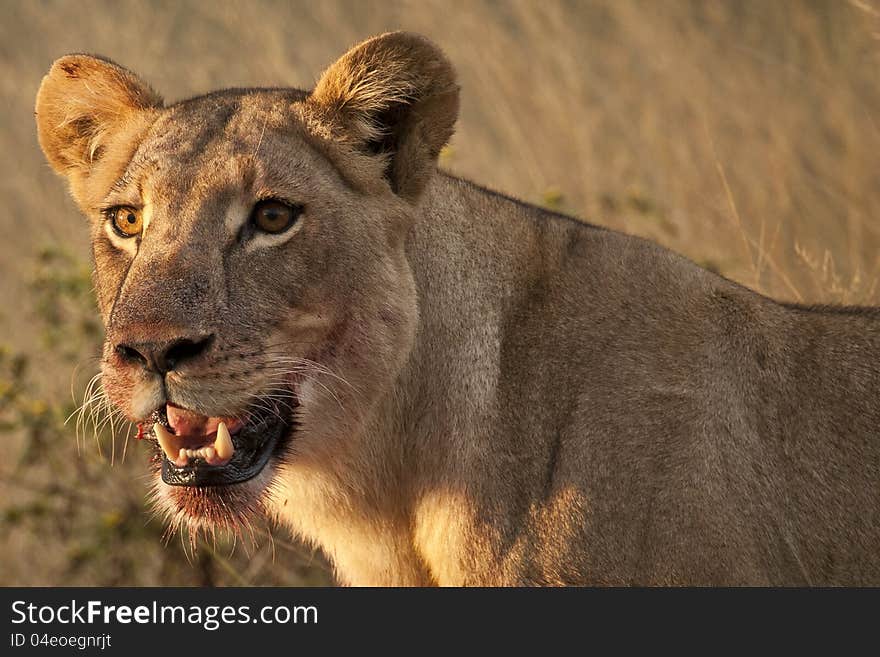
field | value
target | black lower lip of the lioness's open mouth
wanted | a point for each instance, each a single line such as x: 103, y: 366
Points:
x: 255, y: 444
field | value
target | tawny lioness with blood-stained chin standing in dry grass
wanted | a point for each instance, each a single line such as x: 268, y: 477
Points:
x: 435, y: 383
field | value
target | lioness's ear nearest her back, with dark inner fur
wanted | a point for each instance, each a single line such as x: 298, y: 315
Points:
x: 393, y: 96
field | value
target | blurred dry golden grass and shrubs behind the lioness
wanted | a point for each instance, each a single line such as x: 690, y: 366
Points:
x: 745, y: 134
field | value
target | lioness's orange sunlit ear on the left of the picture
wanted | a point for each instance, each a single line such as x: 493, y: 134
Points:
x: 86, y: 104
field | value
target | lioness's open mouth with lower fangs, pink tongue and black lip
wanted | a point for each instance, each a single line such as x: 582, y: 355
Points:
x: 200, y: 450
